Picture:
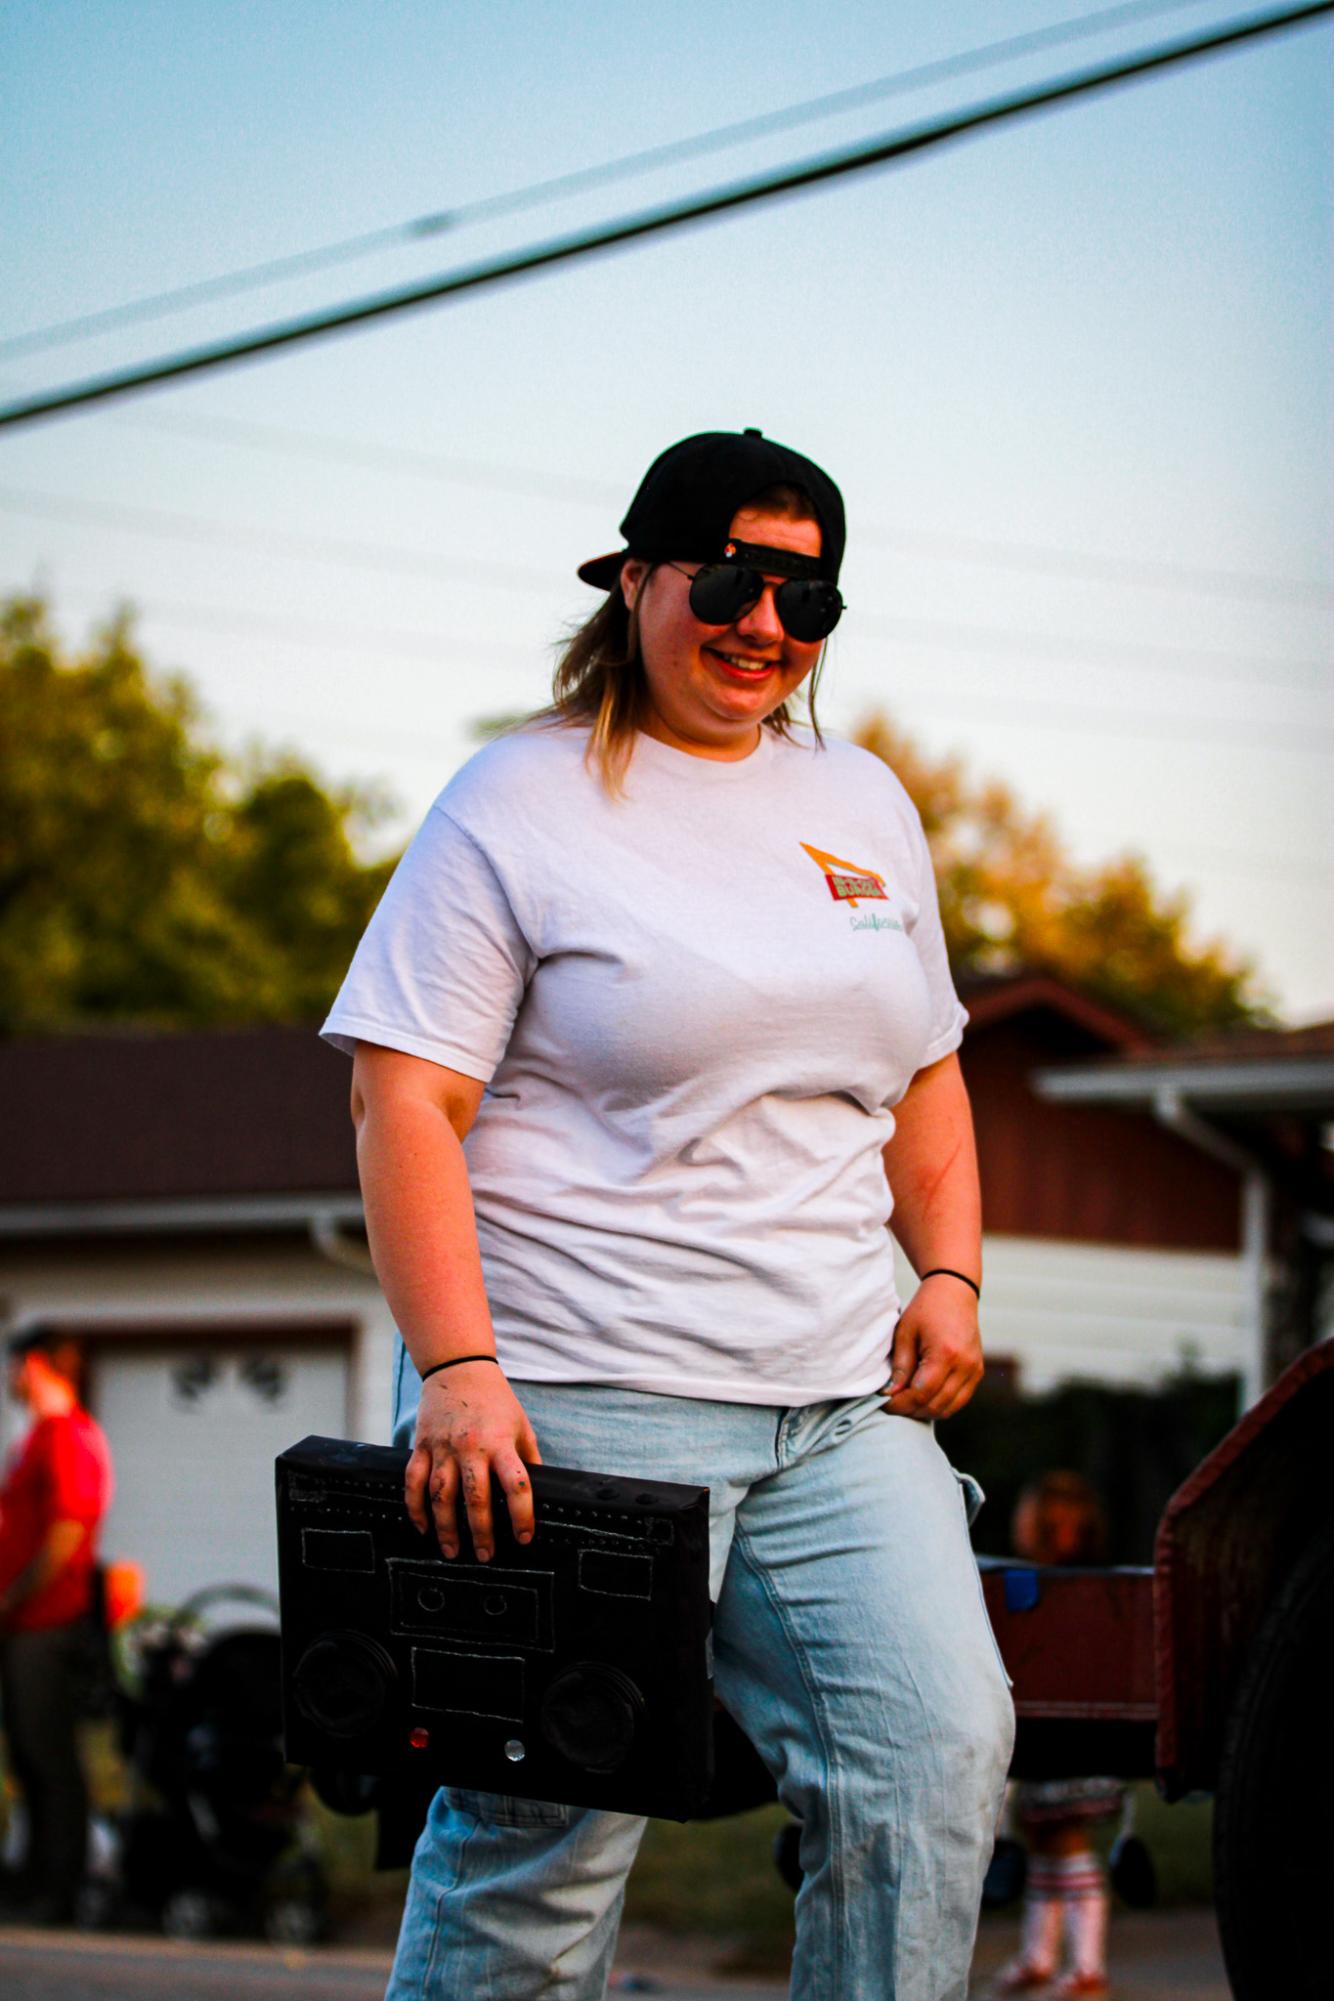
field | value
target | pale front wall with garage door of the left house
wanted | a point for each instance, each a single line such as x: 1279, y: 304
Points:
x: 195, y: 1504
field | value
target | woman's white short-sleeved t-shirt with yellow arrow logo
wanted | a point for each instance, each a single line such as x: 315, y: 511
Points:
x: 695, y: 1010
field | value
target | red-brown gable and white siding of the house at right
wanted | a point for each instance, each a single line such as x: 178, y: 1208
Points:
x: 1113, y: 1246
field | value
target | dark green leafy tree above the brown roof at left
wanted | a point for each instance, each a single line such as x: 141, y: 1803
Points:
x: 143, y: 875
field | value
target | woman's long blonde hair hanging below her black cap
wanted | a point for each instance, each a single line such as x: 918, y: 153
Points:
x: 601, y: 681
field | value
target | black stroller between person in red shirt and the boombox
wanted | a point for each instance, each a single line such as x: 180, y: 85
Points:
x: 215, y: 1834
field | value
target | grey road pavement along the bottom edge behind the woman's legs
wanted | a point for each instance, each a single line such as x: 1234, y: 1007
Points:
x: 1157, y: 1956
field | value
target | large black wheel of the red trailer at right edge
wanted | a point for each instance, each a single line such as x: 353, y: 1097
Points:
x: 1275, y: 1814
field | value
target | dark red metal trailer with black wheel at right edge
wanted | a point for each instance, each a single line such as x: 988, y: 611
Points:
x: 1211, y: 1674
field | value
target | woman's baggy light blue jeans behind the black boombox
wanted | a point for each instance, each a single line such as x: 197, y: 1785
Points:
x: 851, y: 1646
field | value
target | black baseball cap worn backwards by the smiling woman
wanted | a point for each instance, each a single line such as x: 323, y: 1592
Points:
x: 691, y: 493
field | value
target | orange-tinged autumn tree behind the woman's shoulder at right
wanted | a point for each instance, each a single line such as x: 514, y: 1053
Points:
x: 1013, y: 899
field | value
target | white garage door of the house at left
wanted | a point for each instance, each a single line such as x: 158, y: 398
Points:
x: 195, y: 1436
